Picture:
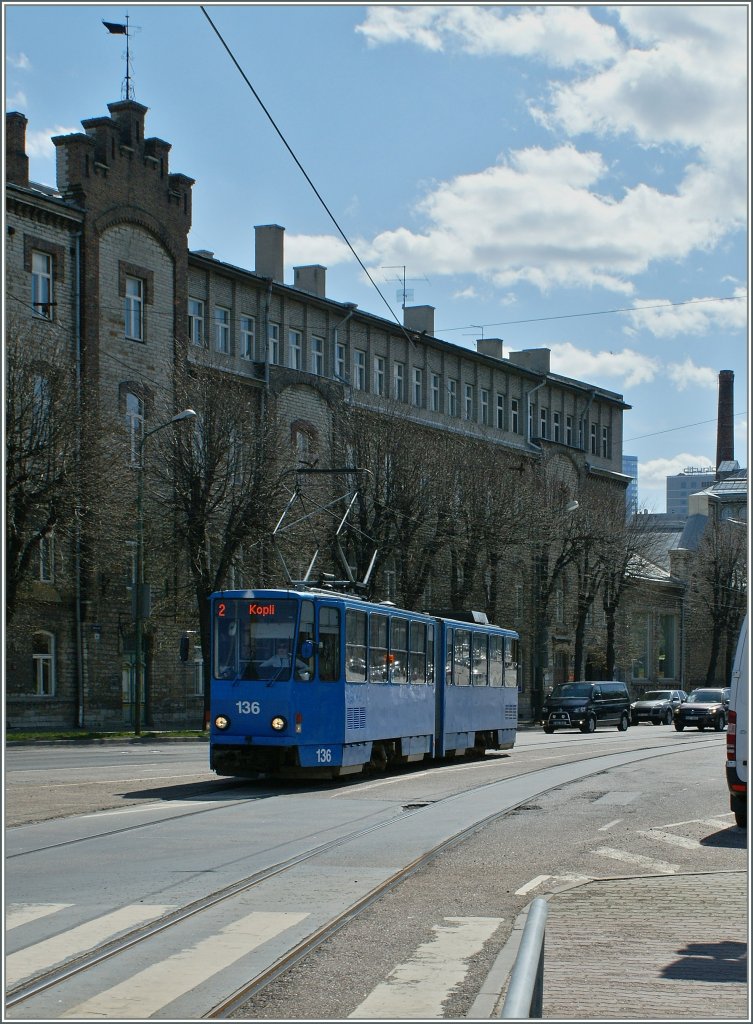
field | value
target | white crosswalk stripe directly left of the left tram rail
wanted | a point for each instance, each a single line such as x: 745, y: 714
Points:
x: 81, y: 940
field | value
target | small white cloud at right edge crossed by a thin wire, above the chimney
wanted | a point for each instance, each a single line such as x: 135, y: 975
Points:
x: 698, y: 317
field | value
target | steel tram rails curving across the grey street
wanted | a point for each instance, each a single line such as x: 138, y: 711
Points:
x: 59, y: 976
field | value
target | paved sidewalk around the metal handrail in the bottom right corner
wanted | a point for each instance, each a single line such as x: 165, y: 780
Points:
x: 661, y: 948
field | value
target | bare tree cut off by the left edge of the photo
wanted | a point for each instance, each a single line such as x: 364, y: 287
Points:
x: 41, y: 445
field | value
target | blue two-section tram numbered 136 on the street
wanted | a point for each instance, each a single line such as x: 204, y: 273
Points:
x: 309, y: 682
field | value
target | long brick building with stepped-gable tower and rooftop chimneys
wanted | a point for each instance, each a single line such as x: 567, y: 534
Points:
x: 138, y: 315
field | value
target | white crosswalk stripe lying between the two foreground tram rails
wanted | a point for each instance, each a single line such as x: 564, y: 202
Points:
x: 145, y: 994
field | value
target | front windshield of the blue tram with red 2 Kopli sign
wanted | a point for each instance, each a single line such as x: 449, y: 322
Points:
x: 255, y: 639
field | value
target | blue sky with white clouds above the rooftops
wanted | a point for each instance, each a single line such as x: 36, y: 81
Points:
x: 559, y: 177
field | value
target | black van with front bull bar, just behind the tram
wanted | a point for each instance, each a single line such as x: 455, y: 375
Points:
x: 588, y: 705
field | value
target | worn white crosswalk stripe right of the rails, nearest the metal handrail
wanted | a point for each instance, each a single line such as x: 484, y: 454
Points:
x: 419, y: 989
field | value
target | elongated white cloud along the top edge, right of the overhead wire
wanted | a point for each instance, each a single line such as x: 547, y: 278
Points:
x: 564, y: 36
